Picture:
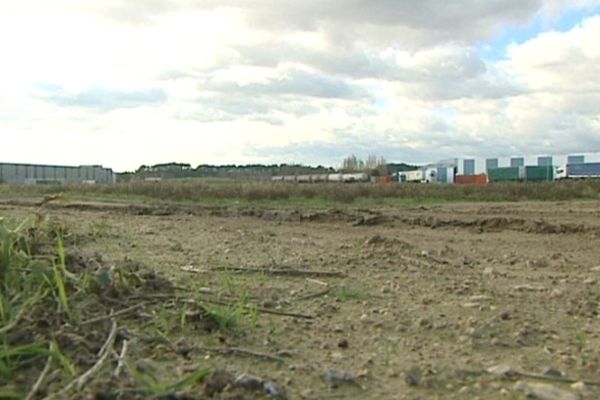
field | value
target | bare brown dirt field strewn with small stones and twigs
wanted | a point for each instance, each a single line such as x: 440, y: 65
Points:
x: 460, y: 301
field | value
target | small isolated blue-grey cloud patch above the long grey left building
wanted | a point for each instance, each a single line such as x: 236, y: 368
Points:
x: 99, y: 98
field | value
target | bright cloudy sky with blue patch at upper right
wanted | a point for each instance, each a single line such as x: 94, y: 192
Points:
x: 124, y: 83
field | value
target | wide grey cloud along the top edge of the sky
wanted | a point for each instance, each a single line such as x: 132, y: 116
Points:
x: 392, y: 21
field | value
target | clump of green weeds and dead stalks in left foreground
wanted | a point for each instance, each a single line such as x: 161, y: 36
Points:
x: 40, y: 299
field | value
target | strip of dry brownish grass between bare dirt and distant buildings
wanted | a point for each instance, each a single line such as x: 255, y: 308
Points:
x: 223, y: 191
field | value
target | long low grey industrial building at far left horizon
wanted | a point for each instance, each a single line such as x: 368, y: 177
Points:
x: 54, y: 174
